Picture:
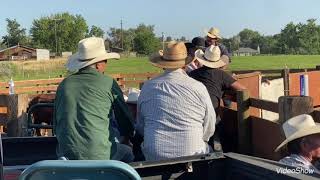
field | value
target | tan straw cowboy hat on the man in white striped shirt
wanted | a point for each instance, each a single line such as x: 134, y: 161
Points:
x: 174, y: 55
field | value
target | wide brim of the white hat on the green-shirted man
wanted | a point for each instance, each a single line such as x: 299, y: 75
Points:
x: 74, y: 63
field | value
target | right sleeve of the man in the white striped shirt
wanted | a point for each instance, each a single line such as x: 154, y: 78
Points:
x: 209, y: 121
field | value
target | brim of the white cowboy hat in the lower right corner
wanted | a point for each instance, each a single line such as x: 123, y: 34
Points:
x: 299, y: 134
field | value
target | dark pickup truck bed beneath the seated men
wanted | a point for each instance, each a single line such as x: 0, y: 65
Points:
x: 21, y: 152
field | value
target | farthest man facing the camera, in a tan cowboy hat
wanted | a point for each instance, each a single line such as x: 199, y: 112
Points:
x: 213, y: 38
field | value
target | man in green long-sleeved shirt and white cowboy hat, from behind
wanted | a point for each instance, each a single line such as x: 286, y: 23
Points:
x: 84, y: 104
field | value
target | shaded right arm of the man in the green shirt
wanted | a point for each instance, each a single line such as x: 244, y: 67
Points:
x: 122, y: 113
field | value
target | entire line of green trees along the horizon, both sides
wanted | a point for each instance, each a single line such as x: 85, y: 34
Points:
x: 61, y: 32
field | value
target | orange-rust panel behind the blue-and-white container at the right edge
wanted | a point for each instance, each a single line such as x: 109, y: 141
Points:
x: 314, y: 85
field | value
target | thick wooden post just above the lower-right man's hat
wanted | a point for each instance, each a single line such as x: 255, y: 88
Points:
x: 290, y: 106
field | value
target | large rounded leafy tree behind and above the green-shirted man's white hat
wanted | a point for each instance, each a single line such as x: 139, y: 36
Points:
x: 68, y: 29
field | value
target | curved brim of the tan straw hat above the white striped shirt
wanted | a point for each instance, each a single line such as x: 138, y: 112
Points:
x: 157, y: 60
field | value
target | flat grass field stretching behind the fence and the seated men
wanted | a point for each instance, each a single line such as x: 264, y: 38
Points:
x: 54, y: 68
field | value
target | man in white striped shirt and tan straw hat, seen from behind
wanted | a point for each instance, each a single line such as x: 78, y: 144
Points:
x: 175, y: 113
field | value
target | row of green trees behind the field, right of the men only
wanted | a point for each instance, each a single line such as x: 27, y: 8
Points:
x: 300, y: 38
